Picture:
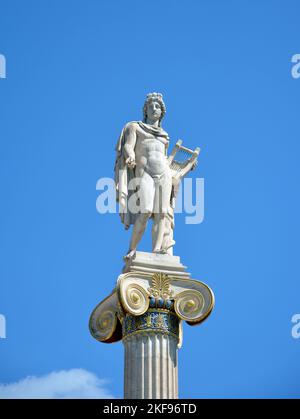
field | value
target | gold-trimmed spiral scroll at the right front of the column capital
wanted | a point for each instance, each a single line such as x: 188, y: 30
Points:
x: 189, y: 305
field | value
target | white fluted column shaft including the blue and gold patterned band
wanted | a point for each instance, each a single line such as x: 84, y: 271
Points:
x: 151, y: 370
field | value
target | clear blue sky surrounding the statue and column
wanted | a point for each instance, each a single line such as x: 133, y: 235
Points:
x: 77, y: 71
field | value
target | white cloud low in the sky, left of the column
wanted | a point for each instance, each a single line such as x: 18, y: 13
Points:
x: 71, y: 384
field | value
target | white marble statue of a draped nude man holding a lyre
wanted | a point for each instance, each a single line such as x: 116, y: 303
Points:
x: 142, y: 162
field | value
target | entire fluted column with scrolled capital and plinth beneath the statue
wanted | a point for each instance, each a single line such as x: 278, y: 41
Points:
x: 152, y: 297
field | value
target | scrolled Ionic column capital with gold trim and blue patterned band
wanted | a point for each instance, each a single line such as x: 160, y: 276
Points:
x: 155, y: 297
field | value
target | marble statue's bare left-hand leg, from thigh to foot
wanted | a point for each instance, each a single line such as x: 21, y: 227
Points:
x: 146, y: 195
